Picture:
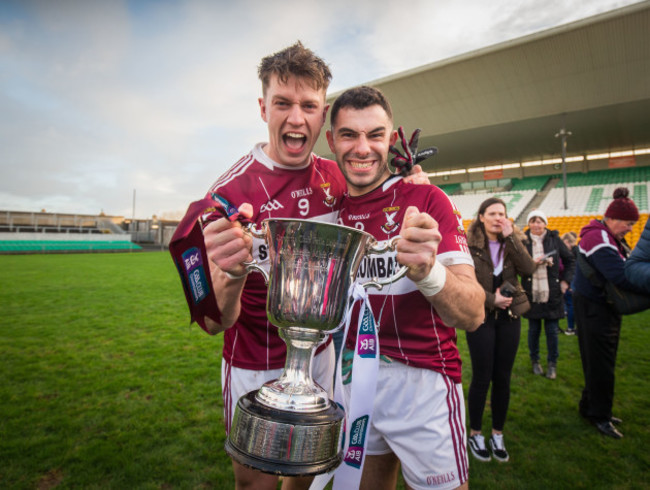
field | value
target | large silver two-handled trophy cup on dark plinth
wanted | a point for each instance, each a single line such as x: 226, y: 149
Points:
x: 289, y: 426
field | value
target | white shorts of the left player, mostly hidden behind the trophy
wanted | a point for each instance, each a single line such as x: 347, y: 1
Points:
x: 236, y: 382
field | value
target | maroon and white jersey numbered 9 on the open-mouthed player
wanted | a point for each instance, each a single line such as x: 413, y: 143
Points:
x: 275, y: 191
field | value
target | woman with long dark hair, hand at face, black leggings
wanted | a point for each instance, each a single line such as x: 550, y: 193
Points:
x: 499, y: 257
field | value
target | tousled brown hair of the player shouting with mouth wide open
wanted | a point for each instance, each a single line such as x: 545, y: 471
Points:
x: 298, y: 61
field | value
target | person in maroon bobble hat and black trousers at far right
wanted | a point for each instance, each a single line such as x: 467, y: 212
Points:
x: 602, y: 245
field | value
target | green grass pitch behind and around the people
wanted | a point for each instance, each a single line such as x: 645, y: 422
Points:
x: 104, y: 384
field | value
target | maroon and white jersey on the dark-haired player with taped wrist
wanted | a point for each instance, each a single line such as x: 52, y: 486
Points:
x: 409, y: 327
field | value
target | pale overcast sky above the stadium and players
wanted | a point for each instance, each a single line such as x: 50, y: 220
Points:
x: 101, y: 98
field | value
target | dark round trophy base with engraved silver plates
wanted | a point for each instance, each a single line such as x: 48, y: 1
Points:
x: 285, y: 443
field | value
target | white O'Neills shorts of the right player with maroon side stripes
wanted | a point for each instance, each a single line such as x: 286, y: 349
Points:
x: 419, y: 415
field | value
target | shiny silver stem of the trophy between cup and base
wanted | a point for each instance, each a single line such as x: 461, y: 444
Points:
x: 295, y: 390
